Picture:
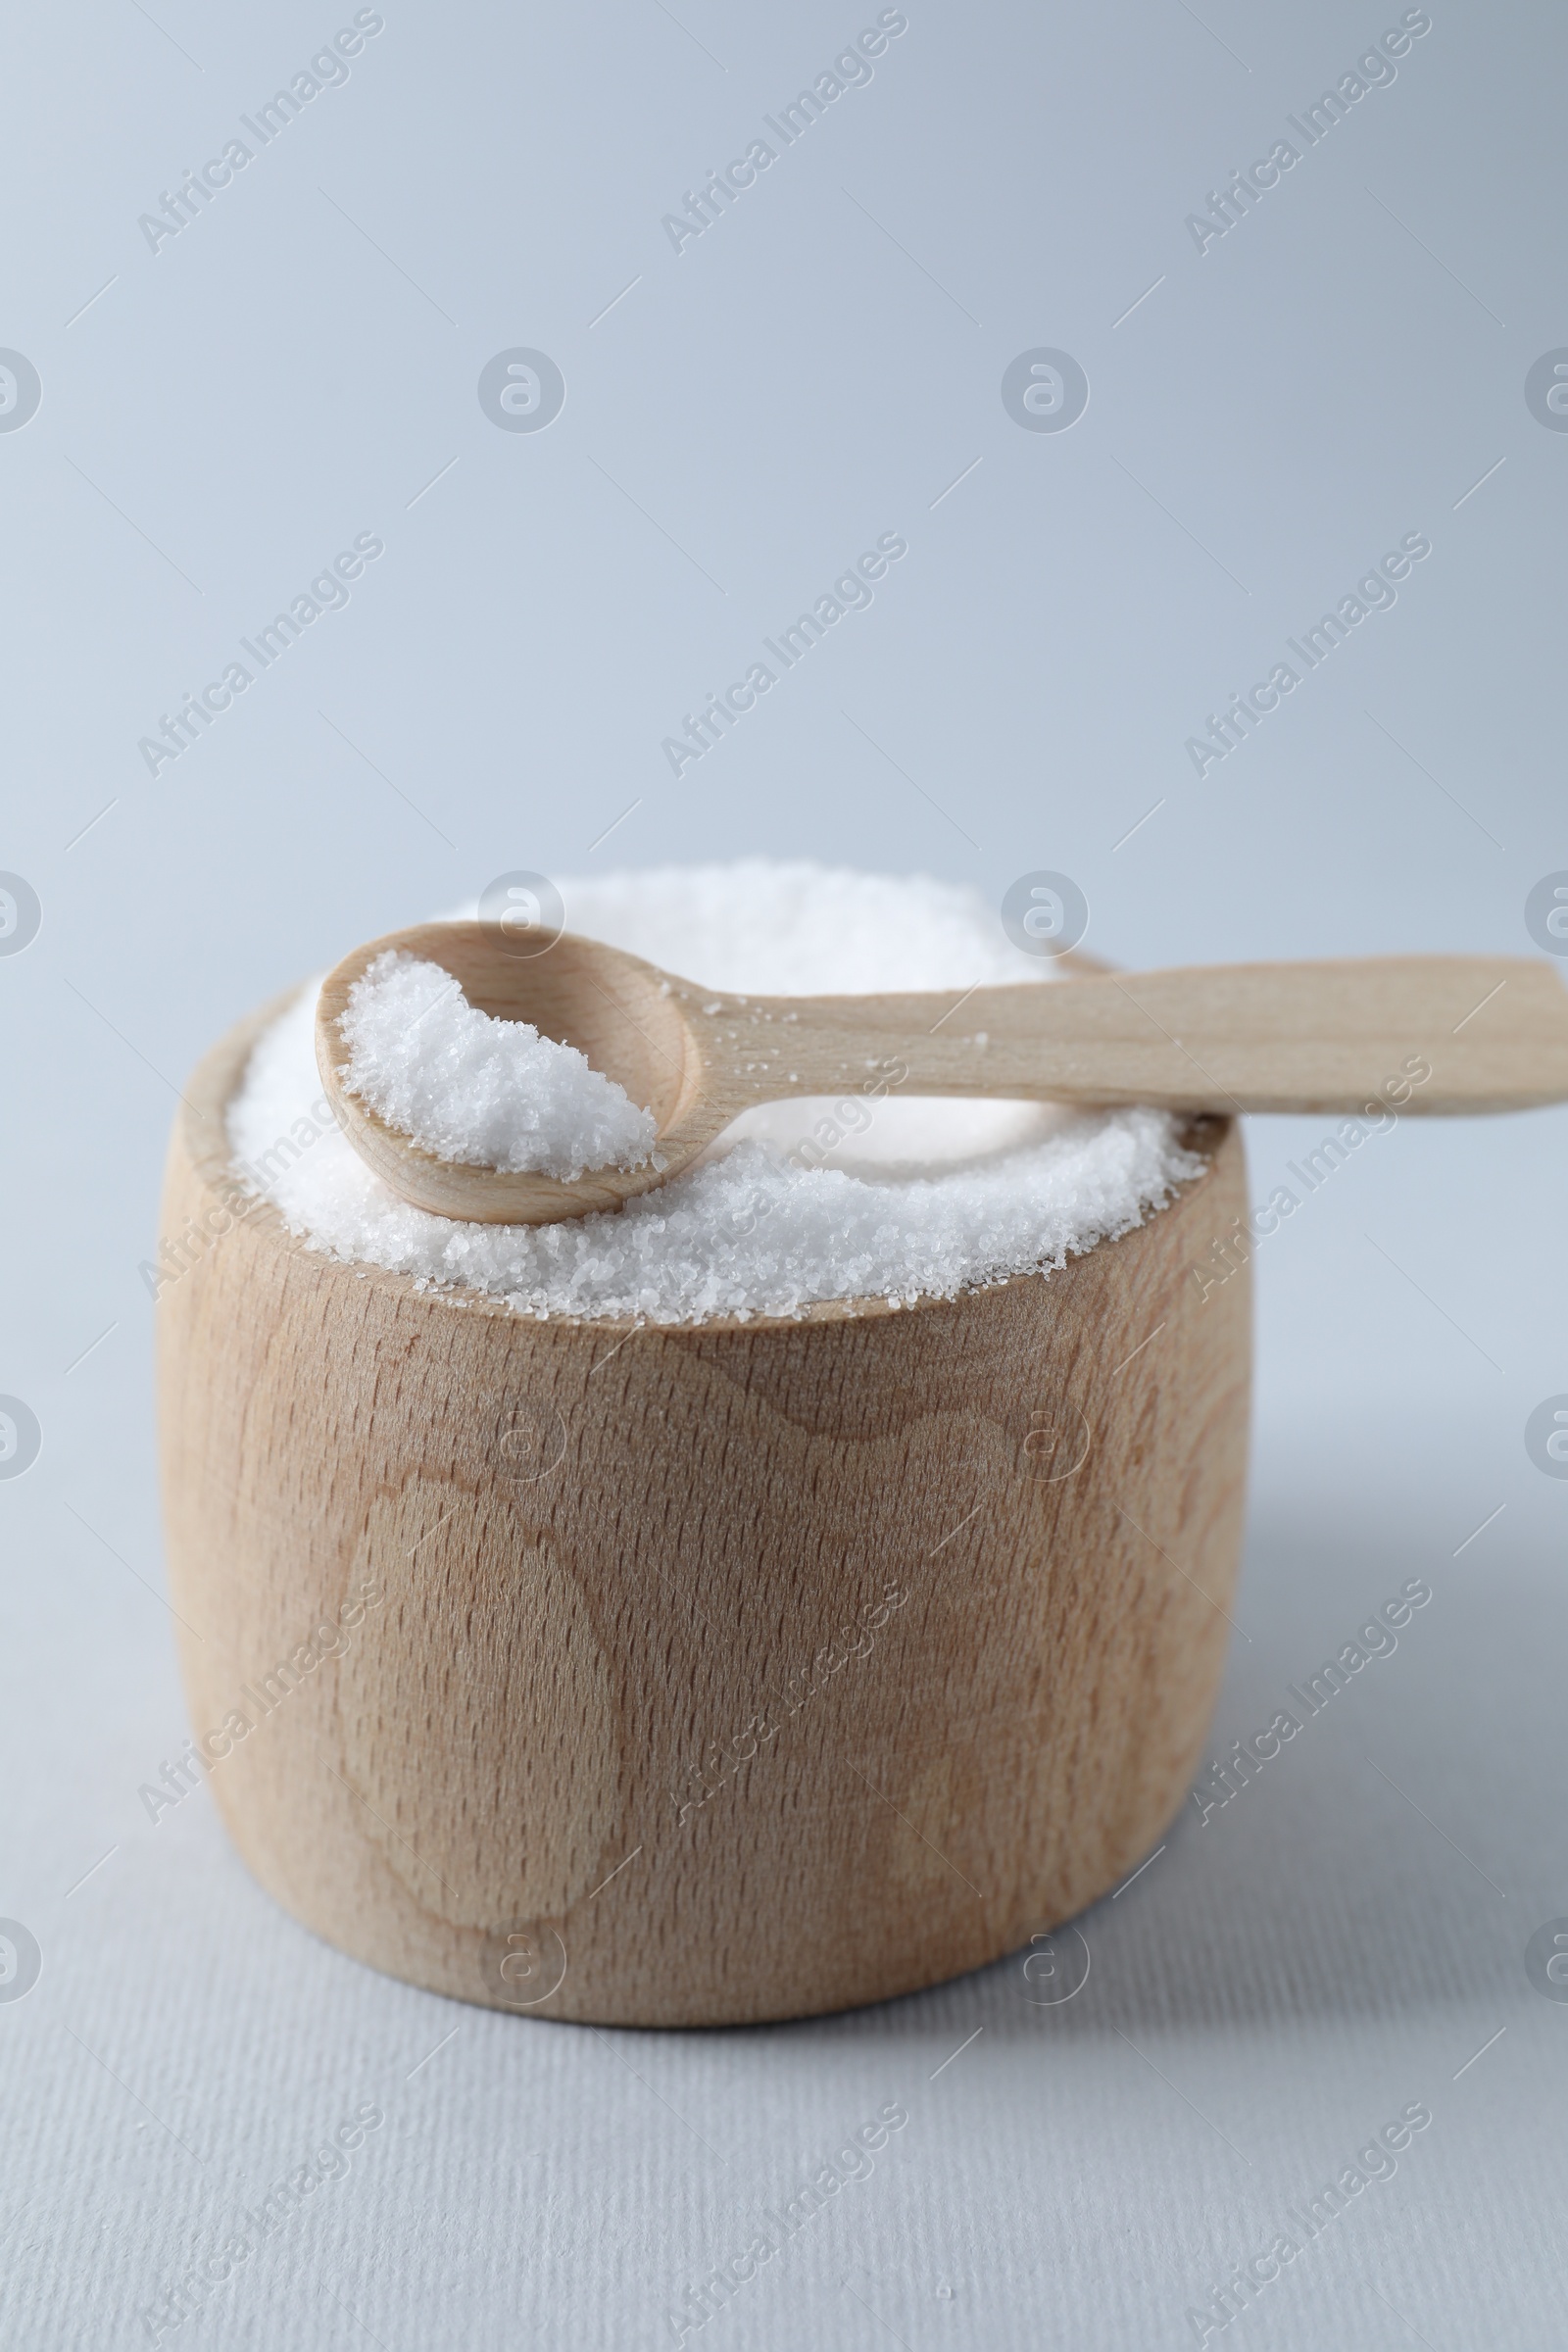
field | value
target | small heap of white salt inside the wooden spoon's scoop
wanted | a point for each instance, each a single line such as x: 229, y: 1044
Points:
x: 478, y: 1090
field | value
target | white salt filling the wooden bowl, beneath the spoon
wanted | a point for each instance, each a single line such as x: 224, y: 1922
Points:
x: 871, y: 1196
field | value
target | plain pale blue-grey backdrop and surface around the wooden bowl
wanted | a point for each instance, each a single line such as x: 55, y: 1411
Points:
x: 822, y: 366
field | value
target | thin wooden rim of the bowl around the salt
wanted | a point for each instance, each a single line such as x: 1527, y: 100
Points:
x: 203, y: 1130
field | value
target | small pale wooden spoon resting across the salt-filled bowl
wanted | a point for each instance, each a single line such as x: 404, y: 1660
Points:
x: 1489, y: 1034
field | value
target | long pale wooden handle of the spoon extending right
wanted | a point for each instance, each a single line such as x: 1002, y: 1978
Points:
x: 1426, y: 1034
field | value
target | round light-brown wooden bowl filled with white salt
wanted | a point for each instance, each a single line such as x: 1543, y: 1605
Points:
x: 695, y: 1676
